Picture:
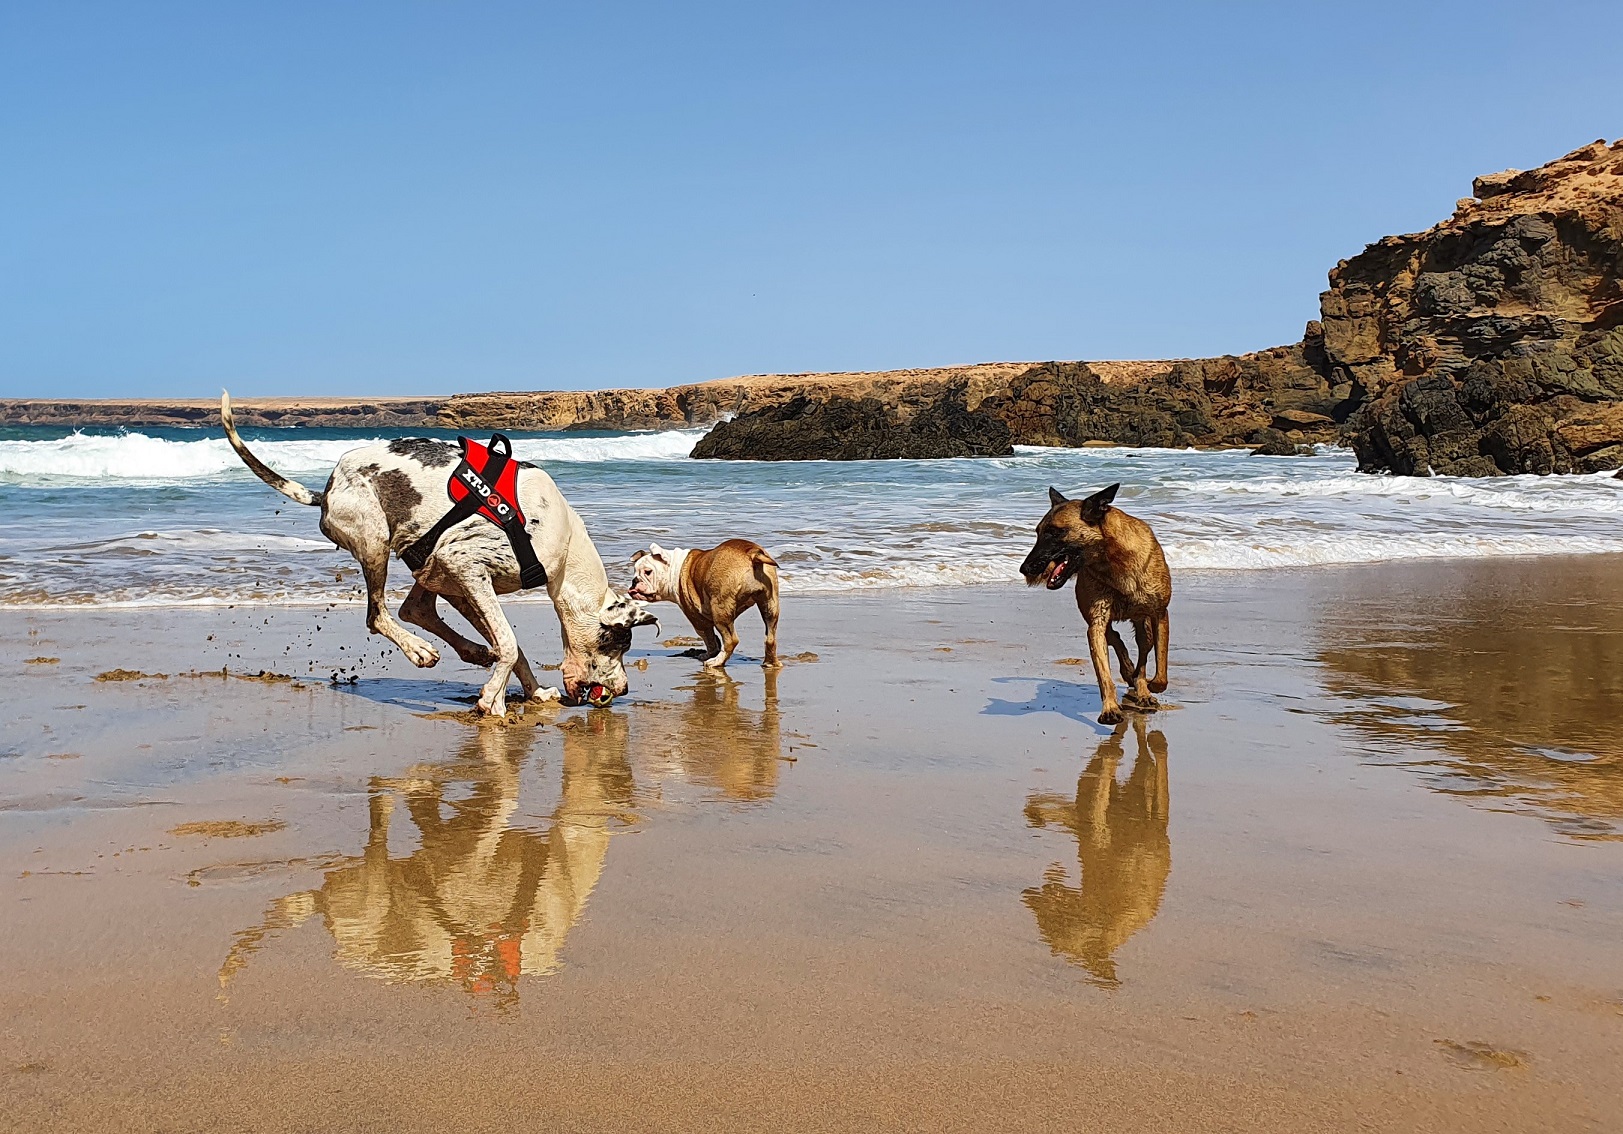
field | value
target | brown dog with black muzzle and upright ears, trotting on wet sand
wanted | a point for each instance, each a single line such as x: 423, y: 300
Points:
x: 1121, y: 577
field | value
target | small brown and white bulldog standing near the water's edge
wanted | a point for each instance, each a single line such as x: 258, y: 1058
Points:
x: 713, y: 588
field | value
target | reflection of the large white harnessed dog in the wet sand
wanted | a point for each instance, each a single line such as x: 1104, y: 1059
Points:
x: 481, y: 901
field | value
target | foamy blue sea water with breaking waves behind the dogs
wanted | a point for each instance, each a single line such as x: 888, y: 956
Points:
x: 173, y: 517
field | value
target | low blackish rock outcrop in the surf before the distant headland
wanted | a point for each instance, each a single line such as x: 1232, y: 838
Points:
x: 858, y: 429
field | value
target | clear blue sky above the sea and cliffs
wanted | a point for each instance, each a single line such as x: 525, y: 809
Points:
x: 392, y: 199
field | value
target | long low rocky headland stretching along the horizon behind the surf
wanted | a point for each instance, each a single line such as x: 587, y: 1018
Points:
x: 1273, y: 398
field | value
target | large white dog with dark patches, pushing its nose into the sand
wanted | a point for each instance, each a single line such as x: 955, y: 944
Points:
x: 385, y: 497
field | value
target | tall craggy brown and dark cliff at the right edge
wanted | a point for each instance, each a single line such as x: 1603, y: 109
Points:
x: 1494, y: 341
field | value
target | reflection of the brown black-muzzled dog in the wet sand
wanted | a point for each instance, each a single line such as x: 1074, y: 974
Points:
x: 1122, y: 844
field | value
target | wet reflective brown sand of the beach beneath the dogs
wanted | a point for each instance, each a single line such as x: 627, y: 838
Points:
x: 1363, y: 874
